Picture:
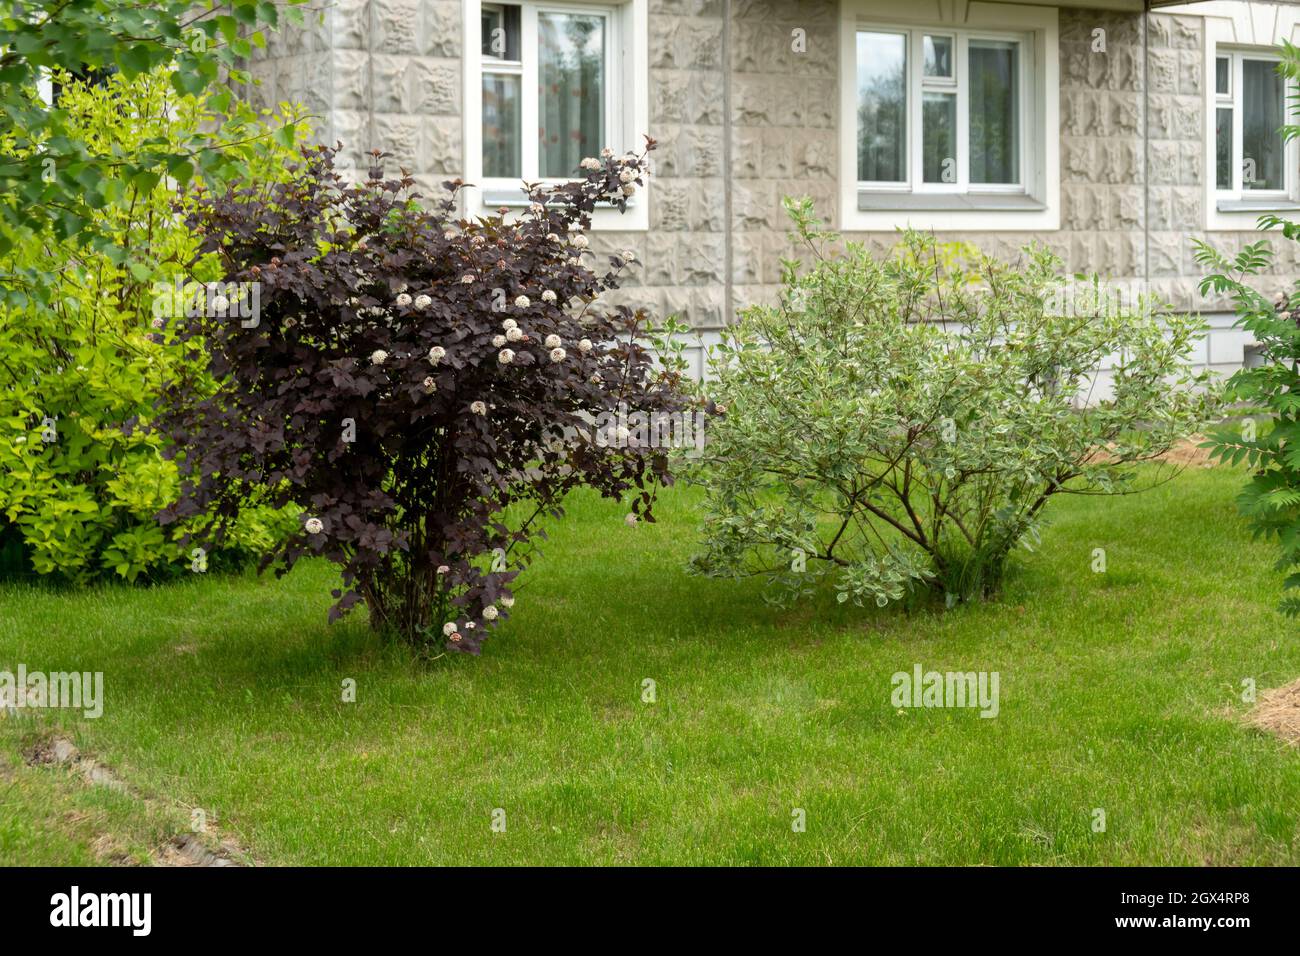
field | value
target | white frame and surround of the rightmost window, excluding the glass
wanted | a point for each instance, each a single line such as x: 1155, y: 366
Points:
x: 1240, y: 31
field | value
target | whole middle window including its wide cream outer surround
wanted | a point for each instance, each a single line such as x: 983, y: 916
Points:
x: 952, y: 122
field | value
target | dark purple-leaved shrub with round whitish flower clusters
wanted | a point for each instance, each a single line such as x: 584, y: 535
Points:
x: 422, y: 386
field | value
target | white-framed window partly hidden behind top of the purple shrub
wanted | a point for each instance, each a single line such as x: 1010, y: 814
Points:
x: 553, y: 84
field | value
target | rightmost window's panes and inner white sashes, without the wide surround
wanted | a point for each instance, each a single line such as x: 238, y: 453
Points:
x: 1250, y: 110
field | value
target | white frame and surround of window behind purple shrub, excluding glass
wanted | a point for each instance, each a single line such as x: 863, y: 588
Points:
x: 627, y: 111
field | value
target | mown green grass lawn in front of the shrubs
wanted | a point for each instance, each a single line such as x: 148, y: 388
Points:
x: 1120, y: 691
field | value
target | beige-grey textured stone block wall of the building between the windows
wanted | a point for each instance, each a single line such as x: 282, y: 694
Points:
x: 731, y: 89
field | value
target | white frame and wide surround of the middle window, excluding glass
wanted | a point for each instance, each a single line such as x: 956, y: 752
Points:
x: 981, y: 206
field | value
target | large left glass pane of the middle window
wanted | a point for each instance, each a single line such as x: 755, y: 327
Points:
x: 882, y: 107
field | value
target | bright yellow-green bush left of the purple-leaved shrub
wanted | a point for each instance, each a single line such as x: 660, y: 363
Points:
x: 80, y: 482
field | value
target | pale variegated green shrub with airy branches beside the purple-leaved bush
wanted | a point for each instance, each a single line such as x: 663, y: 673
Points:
x: 902, y: 423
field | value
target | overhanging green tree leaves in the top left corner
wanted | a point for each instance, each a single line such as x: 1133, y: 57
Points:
x: 51, y: 180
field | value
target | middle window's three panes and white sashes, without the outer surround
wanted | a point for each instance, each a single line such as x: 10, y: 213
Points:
x: 941, y: 113
